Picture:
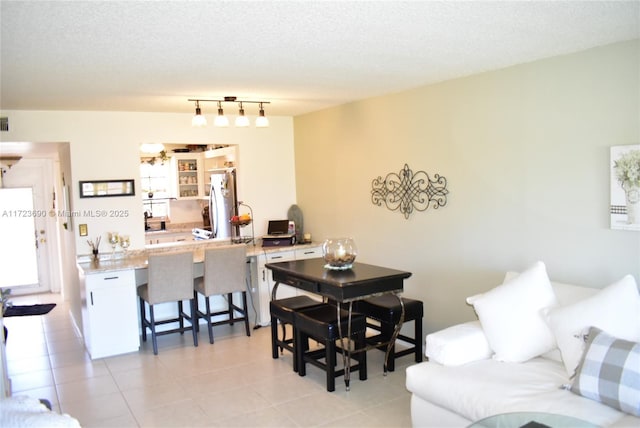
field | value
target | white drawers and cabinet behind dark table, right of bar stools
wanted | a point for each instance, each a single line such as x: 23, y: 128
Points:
x: 264, y: 282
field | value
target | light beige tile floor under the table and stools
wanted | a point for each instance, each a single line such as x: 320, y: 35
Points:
x: 233, y: 382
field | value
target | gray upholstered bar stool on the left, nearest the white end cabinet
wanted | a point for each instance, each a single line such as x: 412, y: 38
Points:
x: 170, y: 279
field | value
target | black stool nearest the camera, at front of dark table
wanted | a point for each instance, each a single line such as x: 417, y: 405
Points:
x: 321, y: 324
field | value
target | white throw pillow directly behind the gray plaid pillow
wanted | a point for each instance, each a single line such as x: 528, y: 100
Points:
x: 613, y: 309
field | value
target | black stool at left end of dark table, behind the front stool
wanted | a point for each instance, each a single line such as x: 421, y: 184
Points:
x: 282, y: 310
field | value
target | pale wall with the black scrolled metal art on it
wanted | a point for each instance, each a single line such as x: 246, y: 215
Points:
x: 525, y: 151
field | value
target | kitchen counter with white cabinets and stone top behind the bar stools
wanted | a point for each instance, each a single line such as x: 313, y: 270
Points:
x: 110, y: 318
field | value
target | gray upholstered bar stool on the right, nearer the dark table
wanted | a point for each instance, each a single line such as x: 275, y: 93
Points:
x: 225, y: 272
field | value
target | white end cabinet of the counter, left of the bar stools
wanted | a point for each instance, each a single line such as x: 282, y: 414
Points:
x: 109, y: 312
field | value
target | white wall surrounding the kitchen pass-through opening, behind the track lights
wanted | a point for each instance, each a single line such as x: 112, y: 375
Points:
x: 105, y: 145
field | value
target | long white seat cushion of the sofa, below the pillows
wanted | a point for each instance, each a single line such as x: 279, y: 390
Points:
x: 488, y: 387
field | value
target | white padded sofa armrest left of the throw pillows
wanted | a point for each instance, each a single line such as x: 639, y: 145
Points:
x: 458, y: 344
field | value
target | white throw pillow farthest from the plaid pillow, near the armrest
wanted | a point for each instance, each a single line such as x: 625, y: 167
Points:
x: 511, y: 315
